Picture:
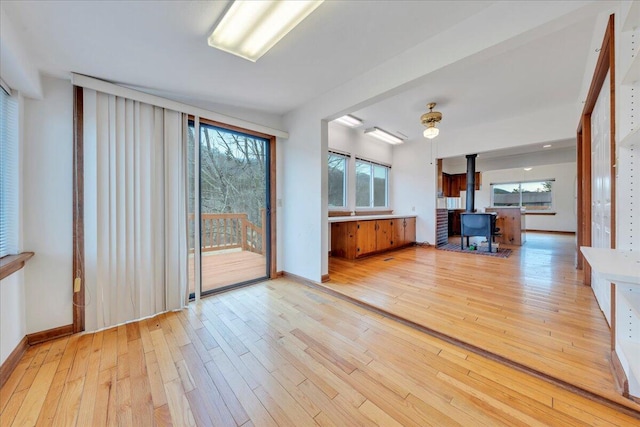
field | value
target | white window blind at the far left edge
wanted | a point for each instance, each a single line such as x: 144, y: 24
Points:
x: 8, y: 174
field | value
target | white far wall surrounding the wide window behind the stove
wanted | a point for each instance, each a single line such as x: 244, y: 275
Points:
x: 564, y: 193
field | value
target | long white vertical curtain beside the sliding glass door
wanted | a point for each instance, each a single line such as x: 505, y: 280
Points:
x: 134, y: 209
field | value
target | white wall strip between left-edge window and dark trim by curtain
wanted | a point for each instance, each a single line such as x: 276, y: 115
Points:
x: 47, y: 174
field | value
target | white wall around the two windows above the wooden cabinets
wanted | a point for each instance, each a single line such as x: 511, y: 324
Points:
x: 353, y: 141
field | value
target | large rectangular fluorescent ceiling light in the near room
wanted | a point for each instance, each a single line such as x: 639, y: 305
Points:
x: 250, y: 28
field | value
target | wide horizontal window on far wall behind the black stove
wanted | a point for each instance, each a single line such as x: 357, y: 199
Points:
x: 532, y: 195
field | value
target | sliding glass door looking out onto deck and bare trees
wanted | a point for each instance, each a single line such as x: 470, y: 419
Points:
x: 231, y: 180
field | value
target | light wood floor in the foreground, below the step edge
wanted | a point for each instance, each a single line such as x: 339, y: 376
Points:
x: 279, y: 353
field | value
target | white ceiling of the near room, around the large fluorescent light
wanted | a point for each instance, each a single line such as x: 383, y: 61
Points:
x: 162, y: 45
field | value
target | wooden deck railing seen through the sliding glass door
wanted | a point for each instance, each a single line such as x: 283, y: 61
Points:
x: 229, y: 231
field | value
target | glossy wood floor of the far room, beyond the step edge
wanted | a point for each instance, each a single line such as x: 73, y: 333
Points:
x: 530, y: 308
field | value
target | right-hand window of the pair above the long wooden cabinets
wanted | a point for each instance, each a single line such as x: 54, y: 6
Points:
x: 371, y: 184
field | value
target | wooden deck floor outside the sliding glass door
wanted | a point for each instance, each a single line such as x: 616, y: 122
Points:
x: 224, y: 268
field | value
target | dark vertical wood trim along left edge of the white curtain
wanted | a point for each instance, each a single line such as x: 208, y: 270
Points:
x: 78, y: 210
